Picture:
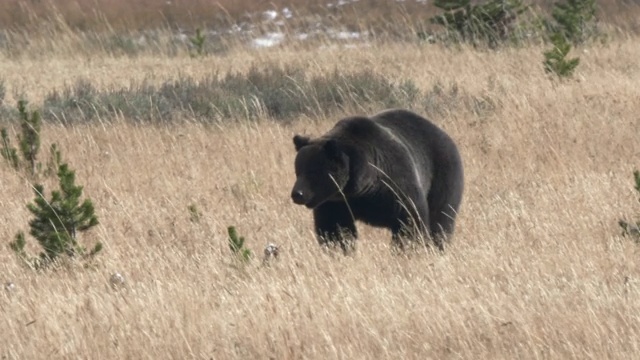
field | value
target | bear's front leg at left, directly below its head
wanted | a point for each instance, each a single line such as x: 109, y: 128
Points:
x: 335, y: 224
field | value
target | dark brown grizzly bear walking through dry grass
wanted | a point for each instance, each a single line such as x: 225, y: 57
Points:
x: 394, y: 169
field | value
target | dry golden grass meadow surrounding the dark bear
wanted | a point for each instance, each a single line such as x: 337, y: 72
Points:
x: 537, y: 269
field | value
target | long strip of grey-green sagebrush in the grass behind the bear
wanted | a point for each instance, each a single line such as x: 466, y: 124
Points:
x: 267, y: 91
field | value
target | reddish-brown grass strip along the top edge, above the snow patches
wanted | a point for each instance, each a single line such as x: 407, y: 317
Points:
x: 121, y: 15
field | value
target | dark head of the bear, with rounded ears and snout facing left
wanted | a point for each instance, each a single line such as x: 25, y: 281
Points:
x: 322, y: 171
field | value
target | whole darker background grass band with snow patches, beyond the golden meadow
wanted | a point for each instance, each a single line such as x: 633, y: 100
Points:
x: 163, y: 28
